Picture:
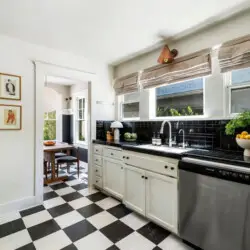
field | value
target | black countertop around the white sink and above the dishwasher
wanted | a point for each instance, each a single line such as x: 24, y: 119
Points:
x: 227, y: 157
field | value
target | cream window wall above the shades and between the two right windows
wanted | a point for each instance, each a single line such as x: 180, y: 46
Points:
x: 214, y: 101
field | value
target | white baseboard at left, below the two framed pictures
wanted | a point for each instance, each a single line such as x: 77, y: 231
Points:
x: 18, y: 205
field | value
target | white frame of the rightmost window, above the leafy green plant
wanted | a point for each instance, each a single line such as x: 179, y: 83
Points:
x: 229, y: 87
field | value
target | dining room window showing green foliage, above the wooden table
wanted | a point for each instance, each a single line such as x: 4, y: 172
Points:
x: 49, y: 129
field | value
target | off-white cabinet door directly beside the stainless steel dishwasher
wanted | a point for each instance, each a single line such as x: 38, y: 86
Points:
x: 161, y: 200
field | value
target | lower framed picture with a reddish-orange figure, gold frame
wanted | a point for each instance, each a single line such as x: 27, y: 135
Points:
x: 10, y: 117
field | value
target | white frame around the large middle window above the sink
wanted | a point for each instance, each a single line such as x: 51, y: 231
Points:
x: 188, y: 117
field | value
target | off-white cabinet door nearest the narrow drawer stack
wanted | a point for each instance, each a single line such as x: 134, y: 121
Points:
x: 113, y: 177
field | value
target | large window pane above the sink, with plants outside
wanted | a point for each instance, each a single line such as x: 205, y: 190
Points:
x: 180, y: 99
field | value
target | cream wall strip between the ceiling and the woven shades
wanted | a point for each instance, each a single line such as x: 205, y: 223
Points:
x: 230, y: 29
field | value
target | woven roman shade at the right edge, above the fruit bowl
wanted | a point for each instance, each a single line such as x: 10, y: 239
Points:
x: 235, y: 54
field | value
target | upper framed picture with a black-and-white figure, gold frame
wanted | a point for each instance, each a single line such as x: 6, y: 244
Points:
x: 10, y: 87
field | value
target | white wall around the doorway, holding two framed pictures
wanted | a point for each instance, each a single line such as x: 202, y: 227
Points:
x: 17, y: 165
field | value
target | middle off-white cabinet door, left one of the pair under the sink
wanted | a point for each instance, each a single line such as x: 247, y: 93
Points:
x: 134, y: 189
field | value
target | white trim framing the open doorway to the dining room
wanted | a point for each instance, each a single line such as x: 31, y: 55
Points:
x: 41, y: 70
